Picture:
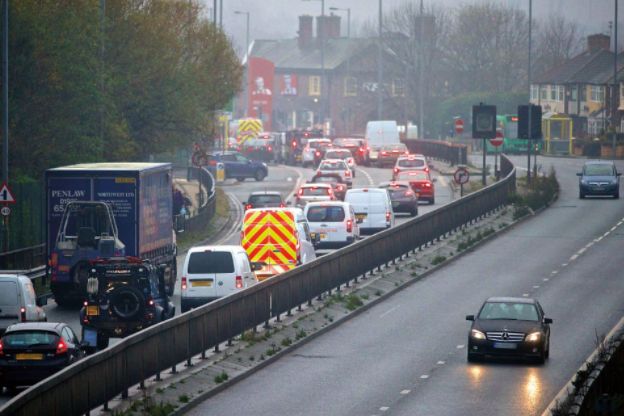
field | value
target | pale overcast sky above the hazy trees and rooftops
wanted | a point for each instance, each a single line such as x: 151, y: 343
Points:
x: 274, y: 19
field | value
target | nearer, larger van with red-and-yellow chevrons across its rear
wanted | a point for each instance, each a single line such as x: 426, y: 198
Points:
x: 279, y: 238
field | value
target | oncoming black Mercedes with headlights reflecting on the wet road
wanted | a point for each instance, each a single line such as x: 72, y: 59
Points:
x: 514, y: 327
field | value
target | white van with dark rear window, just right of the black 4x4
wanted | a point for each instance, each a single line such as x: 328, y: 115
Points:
x: 211, y: 272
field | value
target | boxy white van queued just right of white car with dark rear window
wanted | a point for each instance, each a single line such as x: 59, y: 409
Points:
x: 373, y: 207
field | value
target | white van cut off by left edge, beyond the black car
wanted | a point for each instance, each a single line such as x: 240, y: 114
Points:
x: 18, y: 302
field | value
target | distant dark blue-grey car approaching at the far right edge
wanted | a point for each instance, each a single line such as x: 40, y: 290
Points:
x: 599, y: 177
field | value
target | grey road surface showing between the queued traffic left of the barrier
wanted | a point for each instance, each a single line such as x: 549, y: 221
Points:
x: 284, y: 179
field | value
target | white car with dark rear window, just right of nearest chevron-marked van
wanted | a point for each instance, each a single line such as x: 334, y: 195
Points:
x: 334, y: 222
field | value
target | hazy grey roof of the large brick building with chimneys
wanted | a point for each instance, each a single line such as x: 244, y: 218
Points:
x: 286, y: 53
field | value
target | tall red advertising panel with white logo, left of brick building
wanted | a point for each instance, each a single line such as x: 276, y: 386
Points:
x: 261, y: 72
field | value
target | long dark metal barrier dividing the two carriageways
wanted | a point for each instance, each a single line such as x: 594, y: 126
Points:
x: 97, y: 379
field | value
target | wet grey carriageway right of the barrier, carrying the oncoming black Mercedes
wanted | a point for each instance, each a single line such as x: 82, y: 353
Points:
x: 407, y: 356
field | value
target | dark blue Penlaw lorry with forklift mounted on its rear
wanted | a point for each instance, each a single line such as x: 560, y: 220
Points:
x: 104, y: 210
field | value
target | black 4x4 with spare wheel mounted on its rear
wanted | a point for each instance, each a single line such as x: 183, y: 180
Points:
x: 124, y: 295
